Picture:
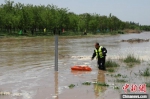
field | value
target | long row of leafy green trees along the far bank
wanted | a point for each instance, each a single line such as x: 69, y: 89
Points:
x: 35, y: 18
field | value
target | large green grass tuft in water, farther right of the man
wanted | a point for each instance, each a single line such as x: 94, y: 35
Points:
x: 131, y: 59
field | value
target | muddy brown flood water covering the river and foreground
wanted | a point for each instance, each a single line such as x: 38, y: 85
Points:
x: 27, y: 67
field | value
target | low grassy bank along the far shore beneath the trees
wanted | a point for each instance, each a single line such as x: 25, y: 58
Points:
x: 66, y: 33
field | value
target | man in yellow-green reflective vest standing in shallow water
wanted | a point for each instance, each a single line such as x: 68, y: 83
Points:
x: 100, y: 53
